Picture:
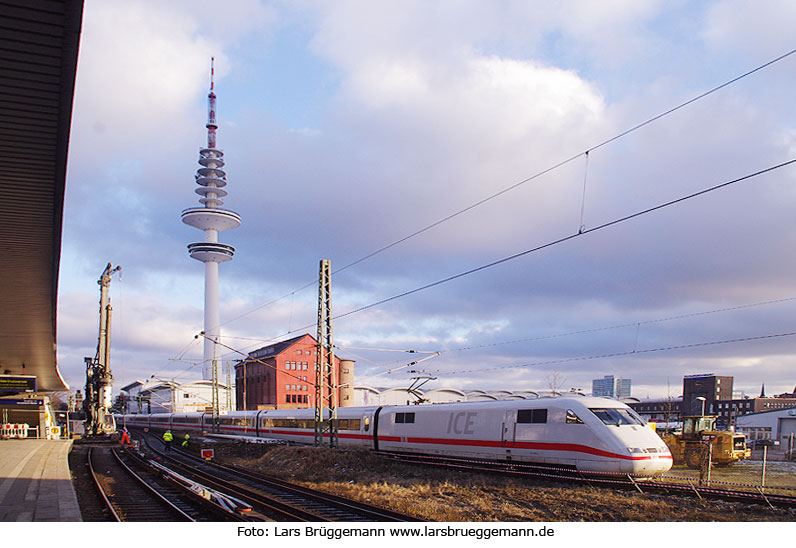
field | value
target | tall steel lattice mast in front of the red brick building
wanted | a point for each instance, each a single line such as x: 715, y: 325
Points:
x: 325, y: 371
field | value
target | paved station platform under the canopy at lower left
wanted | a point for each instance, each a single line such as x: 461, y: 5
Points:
x: 35, y: 482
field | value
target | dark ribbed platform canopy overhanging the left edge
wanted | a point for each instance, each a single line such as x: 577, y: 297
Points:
x: 39, y: 42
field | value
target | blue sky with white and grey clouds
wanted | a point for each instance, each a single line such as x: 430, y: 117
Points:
x: 349, y: 126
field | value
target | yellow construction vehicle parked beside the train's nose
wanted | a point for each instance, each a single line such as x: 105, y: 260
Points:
x: 700, y: 440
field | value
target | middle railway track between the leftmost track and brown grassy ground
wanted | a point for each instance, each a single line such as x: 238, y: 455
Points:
x: 277, y: 499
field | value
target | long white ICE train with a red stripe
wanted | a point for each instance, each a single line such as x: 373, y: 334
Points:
x: 574, y: 433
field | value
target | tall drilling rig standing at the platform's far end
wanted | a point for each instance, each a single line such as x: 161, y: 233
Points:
x: 97, y: 402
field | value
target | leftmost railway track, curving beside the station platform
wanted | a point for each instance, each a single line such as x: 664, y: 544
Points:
x: 132, y: 491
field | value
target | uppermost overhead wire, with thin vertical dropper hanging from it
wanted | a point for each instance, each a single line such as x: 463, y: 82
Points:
x: 535, y: 176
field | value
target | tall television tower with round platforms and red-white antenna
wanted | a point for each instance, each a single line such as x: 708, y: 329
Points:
x: 211, y: 219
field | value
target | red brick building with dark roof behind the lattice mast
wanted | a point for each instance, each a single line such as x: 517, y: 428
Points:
x: 282, y: 376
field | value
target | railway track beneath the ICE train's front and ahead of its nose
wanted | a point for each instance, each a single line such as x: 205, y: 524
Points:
x: 607, y: 480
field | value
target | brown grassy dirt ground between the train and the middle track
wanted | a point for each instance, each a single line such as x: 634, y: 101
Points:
x: 435, y: 494
